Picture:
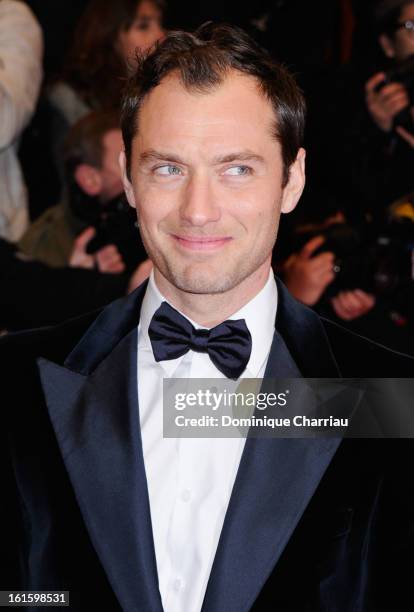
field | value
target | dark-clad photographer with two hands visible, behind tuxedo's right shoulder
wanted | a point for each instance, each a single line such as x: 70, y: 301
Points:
x: 359, y: 275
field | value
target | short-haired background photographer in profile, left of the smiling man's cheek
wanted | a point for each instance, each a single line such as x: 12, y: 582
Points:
x: 93, y: 211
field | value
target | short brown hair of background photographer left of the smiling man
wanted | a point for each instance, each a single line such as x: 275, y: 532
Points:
x: 84, y: 142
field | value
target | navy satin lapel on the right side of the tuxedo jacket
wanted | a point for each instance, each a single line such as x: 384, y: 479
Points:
x: 276, y: 478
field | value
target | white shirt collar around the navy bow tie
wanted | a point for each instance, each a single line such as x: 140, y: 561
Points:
x: 259, y: 314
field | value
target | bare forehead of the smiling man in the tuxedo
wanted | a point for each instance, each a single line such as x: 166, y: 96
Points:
x: 233, y: 114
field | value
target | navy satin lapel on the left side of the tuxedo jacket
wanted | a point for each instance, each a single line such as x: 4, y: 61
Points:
x: 96, y: 422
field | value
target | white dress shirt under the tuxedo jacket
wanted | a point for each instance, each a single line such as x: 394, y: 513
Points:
x: 190, y: 480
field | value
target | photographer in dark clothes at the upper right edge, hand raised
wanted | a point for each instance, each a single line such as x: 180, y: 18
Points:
x: 380, y: 159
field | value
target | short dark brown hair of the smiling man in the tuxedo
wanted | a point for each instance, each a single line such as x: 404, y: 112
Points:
x: 202, y: 60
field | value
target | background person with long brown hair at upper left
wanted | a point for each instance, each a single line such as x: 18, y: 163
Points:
x: 106, y: 40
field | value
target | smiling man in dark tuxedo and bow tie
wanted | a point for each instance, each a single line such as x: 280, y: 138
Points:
x: 100, y: 503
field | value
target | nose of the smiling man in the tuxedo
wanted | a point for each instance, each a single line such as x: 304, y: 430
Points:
x: 199, y: 206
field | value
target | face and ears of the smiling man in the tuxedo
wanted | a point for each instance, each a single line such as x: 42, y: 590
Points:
x: 206, y: 179
